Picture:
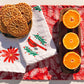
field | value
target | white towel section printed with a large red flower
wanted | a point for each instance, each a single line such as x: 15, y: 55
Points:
x: 11, y: 59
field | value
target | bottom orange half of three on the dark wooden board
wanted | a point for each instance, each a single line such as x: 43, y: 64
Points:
x: 71, y: 60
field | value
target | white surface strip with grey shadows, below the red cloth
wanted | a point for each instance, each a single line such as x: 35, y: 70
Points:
x: 41, y: 82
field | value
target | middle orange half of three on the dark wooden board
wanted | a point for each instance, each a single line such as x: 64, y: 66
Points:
x: 71, y: 41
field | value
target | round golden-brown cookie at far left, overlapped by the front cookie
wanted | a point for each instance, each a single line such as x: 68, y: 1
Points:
x: 8, y: 13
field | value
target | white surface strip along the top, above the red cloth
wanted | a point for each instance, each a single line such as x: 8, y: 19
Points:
x: 46, y: 2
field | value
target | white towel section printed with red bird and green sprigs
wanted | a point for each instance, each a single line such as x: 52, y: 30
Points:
x: 38, y: 45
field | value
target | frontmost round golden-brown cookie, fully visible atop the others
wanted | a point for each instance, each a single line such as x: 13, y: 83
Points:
x: 18, y: 27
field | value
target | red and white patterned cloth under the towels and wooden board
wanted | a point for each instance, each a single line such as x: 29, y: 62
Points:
x: 51, y: 14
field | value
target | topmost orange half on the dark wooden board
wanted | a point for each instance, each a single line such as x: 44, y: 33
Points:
x: 71, y: 19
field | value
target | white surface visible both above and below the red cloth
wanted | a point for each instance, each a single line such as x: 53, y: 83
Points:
x: 42, y: 2
